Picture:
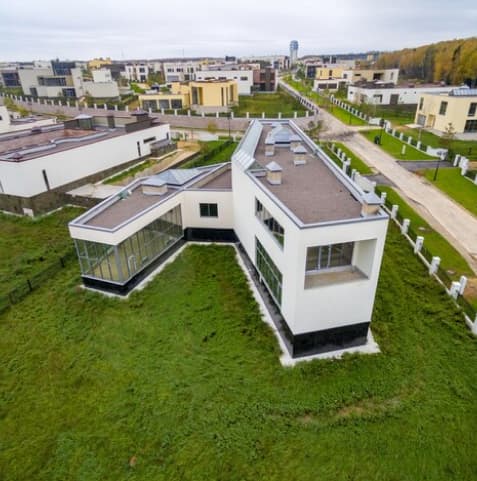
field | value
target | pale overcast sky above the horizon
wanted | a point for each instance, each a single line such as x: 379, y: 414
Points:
x: 46, y: 29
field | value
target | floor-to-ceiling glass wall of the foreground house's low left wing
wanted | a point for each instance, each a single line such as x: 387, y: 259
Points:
x: 119, y: 263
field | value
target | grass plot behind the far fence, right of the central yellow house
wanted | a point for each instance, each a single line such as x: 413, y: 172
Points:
x: 271, y: 104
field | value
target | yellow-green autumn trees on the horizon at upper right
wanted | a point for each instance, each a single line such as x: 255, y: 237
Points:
x: 453, y: 62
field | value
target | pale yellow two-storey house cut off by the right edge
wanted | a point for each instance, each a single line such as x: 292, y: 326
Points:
x: 458, y: 107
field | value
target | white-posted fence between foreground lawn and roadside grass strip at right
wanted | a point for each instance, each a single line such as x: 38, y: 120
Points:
x: 455, y: 289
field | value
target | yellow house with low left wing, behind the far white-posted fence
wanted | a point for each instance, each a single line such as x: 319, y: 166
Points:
x: 202, y: 96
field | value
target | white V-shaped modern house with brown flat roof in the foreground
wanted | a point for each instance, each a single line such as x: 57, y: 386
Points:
x: 312, y: 237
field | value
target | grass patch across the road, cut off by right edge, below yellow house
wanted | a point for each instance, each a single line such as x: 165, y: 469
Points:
x: 461, y: 189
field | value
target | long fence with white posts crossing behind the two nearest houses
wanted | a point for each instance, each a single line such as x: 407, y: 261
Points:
x: 29, y: 104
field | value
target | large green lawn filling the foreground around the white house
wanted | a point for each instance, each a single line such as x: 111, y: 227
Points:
x: 182, y: 381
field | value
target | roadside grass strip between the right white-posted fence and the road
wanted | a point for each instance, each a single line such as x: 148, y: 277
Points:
x: 451, y: 260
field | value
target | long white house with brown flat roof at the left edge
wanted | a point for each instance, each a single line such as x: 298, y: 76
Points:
x: 37, y: 166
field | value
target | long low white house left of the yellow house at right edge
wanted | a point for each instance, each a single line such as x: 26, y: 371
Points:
x: 376, y: 93
